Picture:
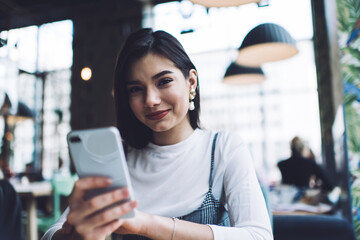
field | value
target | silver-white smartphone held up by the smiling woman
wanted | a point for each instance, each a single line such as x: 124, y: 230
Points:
x: 99, y: 152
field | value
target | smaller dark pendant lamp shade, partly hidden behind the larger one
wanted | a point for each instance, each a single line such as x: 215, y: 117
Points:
x: 241, y: 75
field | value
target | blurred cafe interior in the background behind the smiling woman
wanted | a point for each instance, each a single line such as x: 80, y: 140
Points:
x: 269, y: 70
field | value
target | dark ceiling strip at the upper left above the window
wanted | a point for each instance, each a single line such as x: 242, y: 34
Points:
x: 21, y: 13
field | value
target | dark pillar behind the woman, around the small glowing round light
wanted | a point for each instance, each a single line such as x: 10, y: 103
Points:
x: 96, y: 43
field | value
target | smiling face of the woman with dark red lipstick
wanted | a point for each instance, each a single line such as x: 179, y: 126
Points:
x: 159, y: 93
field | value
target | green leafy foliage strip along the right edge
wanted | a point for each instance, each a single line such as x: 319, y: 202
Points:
x: 348, y: 14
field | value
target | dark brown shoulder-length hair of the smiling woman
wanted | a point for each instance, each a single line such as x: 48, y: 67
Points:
x: 137, y: 45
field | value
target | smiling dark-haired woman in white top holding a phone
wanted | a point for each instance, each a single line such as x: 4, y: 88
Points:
x: 189, y: 183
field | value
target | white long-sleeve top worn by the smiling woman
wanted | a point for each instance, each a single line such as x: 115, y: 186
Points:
x: 173, y: 180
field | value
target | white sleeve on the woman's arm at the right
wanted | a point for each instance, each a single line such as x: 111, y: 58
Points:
x: 248, y: 214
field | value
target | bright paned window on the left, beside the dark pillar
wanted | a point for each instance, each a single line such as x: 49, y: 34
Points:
x: 35, y: 70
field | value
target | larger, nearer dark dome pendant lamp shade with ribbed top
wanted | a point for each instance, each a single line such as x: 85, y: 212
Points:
x: 267, y: 42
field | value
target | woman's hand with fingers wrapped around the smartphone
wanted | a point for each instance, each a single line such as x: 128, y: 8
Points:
x: 84, y: 215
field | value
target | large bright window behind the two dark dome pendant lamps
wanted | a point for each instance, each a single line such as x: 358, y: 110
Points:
x: 266, y: 115
